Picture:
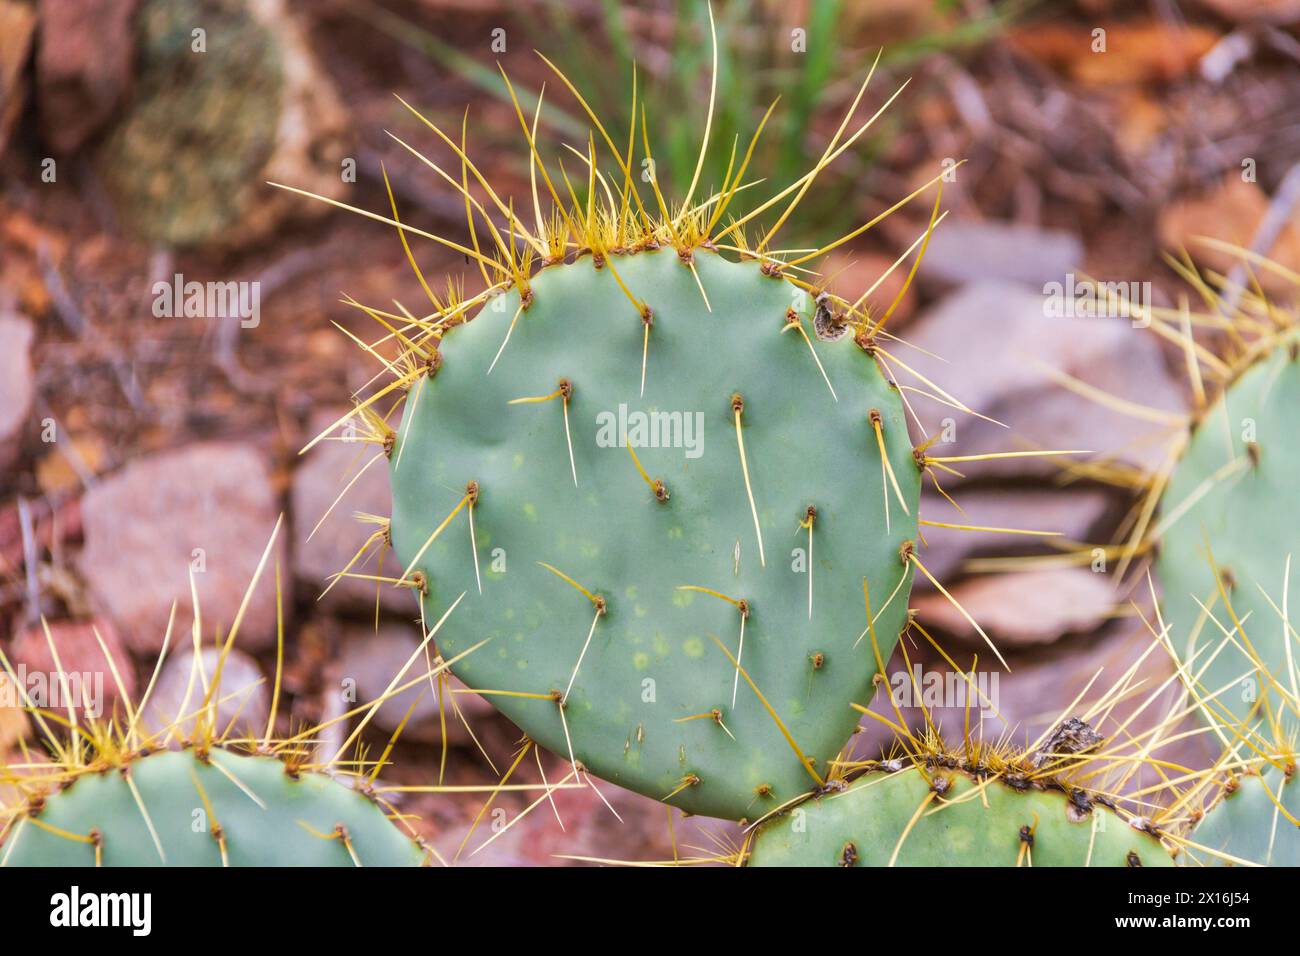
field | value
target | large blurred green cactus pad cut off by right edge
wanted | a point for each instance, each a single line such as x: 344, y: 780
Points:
x: 1247, y: 514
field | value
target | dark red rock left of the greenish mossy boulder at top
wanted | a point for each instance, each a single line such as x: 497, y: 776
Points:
x: 84, y: 67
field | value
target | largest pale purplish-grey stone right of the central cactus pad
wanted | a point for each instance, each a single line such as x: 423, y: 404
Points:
x: 1003, y: 348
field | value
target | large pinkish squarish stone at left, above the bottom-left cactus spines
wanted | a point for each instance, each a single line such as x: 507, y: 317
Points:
x: 209, y: 507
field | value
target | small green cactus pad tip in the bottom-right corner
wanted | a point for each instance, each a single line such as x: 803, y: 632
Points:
x: 1247, y: 824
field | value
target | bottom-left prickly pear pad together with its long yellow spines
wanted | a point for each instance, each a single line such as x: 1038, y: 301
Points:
x: 111, y: 790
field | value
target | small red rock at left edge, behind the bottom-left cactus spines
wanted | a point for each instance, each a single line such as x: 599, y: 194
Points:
x: 89, y: 676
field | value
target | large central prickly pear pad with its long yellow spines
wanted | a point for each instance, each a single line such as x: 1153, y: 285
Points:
x: 655, y: 483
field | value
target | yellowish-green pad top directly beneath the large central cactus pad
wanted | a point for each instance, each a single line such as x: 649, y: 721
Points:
x: 1002, y: 827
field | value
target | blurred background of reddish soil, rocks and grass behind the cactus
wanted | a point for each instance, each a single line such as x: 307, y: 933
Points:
x: 1098, y: 136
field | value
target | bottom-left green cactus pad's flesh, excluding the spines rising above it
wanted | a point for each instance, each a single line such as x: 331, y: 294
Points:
x: 259, y: 812
